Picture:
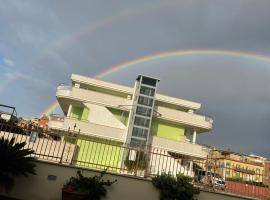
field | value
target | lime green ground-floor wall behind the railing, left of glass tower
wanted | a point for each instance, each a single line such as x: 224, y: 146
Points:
x: 98, y: 154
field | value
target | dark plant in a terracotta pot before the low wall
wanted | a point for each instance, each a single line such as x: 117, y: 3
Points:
x: 82, y: 188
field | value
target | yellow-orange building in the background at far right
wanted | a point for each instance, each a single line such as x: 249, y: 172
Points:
x: 238, y: 166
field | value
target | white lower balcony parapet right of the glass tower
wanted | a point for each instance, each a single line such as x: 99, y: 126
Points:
x: 181, y: 147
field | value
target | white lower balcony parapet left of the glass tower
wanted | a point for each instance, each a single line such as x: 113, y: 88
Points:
x: 89, y: 129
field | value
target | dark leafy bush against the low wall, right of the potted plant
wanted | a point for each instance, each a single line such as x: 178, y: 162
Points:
x: 175, y: 188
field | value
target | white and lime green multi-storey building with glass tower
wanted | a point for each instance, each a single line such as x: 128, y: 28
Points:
x: 137, y: 116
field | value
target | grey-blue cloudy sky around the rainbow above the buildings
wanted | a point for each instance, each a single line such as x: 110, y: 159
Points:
x: 43, y: 42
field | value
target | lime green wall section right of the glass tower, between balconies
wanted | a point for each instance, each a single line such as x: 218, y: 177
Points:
x: 167, y: 130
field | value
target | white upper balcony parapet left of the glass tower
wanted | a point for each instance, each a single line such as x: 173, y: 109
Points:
x: 84, y: 95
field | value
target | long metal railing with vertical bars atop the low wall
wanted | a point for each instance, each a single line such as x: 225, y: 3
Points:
x: 73, y: 148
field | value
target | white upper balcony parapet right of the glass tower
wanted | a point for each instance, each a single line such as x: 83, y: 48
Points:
x: 190, y: 119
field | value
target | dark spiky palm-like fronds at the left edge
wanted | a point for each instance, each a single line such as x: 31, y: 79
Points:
x: 15, y: 161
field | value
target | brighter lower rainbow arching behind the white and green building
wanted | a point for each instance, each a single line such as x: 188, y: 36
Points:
x: 169, y: 54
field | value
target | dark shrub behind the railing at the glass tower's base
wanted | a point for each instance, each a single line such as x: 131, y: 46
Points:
x: 140, y: 162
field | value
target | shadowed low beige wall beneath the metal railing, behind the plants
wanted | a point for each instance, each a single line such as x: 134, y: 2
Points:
x: 39, y: 187
